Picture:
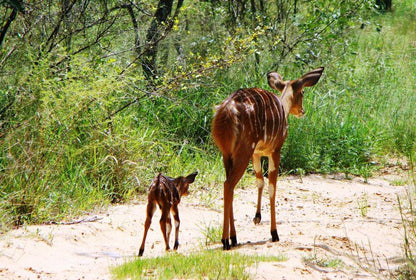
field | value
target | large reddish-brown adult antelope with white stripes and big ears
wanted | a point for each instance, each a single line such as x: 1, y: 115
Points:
x: 252, y: 123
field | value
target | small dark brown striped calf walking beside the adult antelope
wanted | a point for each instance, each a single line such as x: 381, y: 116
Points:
x: 166, y: 192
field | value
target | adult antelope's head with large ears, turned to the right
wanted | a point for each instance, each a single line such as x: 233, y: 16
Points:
x: 292, y: 90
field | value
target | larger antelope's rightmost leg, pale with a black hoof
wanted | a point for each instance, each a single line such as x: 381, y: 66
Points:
x: 274, y: 162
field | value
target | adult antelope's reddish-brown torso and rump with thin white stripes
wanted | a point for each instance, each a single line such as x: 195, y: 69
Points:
x: 253, y: 115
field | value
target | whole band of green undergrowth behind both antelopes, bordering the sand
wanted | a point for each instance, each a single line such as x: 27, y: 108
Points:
x: 87, y: 136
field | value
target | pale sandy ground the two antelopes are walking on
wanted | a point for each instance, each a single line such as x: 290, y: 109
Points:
x: 321, y: 220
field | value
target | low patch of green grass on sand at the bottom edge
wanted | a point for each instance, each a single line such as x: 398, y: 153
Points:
x: 208, y: 264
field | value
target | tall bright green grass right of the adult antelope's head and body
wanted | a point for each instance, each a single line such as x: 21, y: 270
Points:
x: 363, y: 106
